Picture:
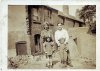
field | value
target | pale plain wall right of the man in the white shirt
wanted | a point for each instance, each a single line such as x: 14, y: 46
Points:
x: 81, y: 43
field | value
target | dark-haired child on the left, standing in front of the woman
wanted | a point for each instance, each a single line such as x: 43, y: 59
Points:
x: 48, y: 49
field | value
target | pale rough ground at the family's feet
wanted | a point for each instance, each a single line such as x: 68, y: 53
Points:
x: 38, y: 62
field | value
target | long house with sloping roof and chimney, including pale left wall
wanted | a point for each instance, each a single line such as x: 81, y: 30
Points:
x: 26, y: 22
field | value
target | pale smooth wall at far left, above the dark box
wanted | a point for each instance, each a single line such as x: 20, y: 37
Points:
x: 16, y: 25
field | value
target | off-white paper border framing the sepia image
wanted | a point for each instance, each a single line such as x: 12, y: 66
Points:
x: 4, y: 27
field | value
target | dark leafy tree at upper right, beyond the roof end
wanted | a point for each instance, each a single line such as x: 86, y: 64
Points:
x: 88, y: 14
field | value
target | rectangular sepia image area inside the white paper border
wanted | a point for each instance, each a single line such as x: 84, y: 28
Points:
x: 51, y: 37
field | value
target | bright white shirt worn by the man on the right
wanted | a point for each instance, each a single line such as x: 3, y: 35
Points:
x: 61, y: 34
